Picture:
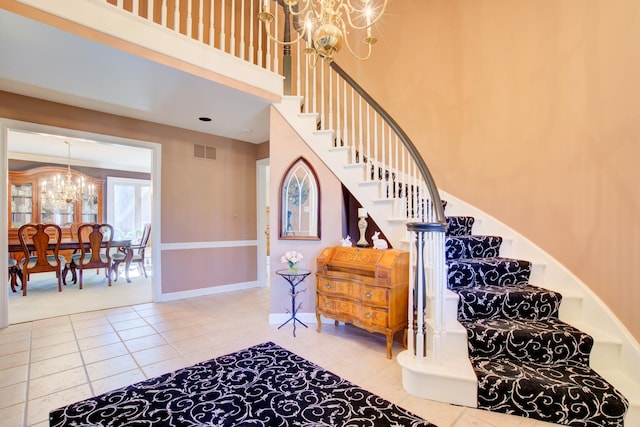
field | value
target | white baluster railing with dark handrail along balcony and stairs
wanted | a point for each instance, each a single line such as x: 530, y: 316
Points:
x: 359, y: 123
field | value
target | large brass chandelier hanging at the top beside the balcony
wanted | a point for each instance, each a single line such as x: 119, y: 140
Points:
x: 328, y: 24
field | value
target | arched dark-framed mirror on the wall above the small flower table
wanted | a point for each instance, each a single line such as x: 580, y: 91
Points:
x: 300, y: 203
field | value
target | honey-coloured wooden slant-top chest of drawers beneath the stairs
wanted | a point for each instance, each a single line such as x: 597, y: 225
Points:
x: 365, y: 287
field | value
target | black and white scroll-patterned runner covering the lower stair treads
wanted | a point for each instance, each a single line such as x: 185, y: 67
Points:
x: 528, y: 362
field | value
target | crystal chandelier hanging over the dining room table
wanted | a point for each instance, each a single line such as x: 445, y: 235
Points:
x: 62, y: 192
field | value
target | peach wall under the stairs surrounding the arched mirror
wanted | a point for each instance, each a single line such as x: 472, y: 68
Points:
x: 286, y: 147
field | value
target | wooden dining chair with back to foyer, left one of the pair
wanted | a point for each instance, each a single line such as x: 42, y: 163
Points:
x: 39, y: 256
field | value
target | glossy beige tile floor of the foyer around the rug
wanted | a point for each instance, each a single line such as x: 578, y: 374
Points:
x: 48, y: 363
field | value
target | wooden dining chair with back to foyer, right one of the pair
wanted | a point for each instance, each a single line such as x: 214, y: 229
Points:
x: 95, y: 247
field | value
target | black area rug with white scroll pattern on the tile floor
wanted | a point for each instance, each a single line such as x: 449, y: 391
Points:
x: 264, y: 385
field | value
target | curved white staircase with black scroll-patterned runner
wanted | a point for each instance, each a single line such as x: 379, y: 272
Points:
x: 507, y: 346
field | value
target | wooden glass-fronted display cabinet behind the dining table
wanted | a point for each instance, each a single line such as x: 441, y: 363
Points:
x: 26, y: 203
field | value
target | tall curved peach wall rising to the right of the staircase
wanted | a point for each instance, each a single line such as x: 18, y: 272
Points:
x: 529, y: 110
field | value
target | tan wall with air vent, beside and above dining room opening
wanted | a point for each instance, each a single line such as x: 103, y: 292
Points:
x: 200, y: 198
